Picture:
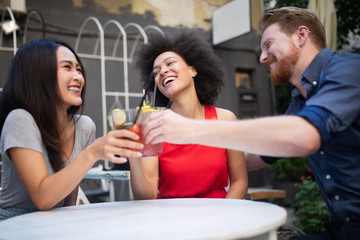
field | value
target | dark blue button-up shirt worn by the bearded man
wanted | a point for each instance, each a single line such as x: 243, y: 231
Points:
x: 332, y: 84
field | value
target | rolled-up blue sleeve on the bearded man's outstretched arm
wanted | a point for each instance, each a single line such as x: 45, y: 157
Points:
x: 335, y: 105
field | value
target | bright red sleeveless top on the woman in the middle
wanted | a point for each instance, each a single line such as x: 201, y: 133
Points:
x: 193, y: 171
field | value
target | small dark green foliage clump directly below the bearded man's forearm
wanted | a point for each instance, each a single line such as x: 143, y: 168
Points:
x: 290, y: 169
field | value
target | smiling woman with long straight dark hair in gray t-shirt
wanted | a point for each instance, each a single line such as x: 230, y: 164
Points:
x: 46, y: 145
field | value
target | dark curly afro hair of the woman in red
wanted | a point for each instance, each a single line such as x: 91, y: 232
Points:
x: 196, y: 53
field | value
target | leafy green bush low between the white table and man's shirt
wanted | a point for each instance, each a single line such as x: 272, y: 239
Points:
x: 309, y: 207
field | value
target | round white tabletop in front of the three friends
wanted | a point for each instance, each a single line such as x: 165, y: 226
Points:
x: 149, y: 219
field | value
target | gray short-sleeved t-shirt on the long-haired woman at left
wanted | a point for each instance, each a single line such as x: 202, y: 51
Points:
x: 20, y: 130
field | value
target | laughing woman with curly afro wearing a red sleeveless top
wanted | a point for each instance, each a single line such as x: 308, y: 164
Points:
x: 188, y: 77
